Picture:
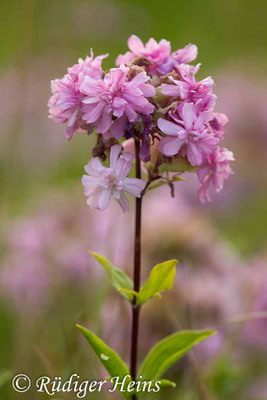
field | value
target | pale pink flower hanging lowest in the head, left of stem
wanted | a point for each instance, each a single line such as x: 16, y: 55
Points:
x: 102, y: 182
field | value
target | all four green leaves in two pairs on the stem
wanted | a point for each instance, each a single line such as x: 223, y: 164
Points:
x: 166, y: 352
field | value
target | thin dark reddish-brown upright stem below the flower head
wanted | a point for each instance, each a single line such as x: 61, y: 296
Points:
x: 137, y: 269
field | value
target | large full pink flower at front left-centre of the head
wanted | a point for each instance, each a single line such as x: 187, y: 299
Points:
x: 116, y: 96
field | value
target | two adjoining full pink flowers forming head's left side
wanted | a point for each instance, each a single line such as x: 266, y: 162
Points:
x: 87, y: 98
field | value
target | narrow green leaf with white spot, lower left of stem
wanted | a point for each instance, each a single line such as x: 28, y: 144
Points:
x: 108, y: 357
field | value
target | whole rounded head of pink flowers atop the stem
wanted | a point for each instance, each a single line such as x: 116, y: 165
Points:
x: 153, y: 97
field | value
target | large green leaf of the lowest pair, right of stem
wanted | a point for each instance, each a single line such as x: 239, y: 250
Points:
x: 168, y: 351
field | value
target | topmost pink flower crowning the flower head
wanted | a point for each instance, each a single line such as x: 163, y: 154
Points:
x: 157, y: 53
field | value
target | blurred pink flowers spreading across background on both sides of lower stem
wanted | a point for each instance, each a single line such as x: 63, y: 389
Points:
x: 213, y: 285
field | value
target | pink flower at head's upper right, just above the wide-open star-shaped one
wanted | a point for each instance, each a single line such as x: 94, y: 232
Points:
x: 188, y: 88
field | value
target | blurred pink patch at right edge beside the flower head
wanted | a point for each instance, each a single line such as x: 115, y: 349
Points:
x: 247, y: 131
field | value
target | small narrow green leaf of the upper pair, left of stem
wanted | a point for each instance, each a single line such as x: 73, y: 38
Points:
x: 118, y: 278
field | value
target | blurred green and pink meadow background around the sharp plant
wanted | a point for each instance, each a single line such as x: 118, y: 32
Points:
x: 46, y: 227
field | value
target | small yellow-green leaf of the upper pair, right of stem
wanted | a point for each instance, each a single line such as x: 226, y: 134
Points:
x: 161, y: 278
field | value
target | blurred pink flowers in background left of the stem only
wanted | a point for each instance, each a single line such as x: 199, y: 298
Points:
x: 50, y: 249
